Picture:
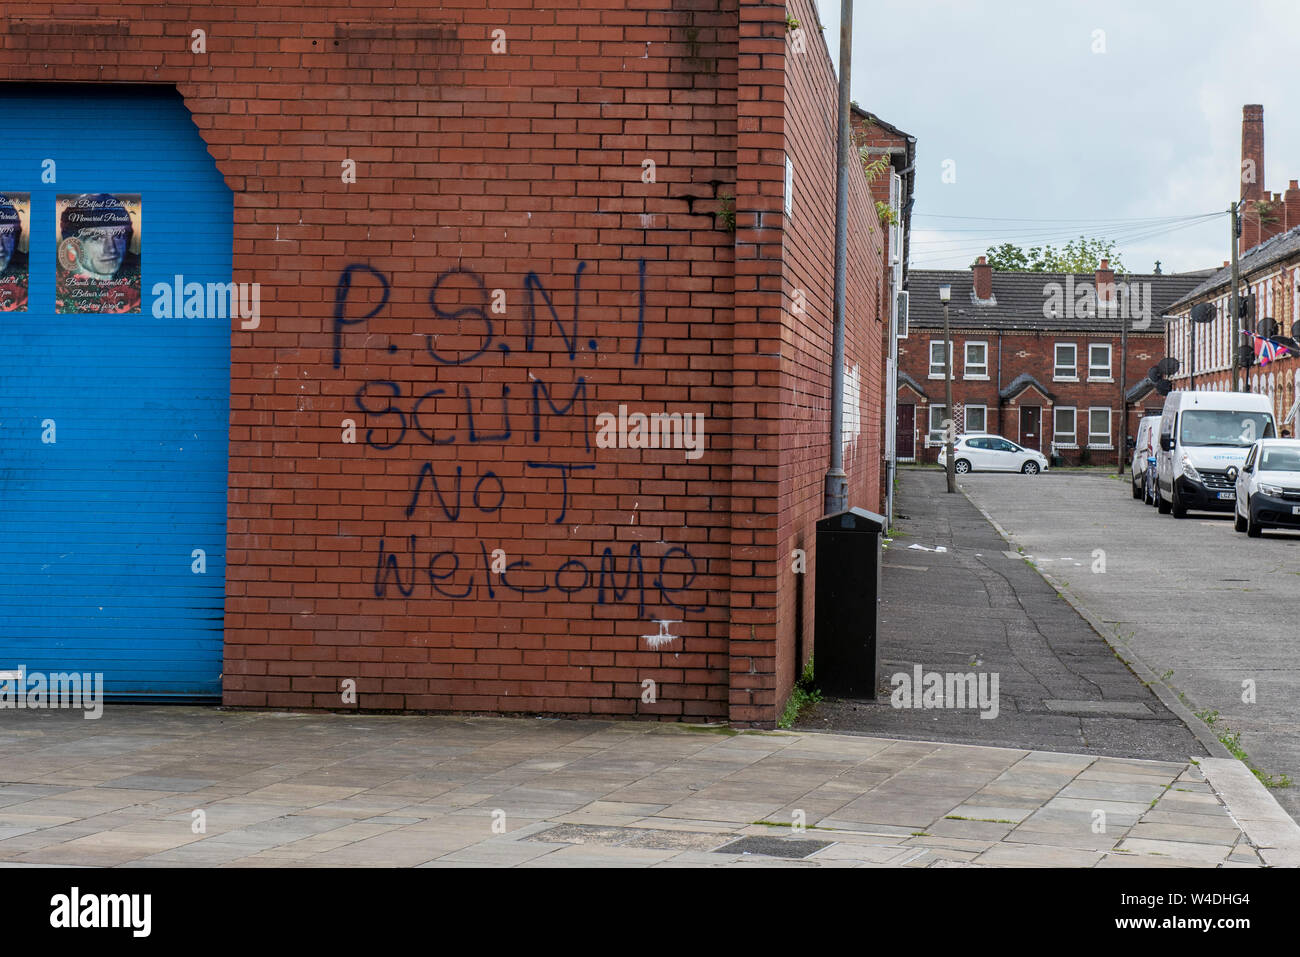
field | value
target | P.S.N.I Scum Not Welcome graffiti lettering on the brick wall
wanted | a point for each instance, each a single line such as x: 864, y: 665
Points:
x: 556, y: 400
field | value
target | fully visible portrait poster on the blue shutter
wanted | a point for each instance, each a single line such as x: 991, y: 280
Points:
x: 98, y: 241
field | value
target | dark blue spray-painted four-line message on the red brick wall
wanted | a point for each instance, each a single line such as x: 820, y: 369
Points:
x: 397, y: 419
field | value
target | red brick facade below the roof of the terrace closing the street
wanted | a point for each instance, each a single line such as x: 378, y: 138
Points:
x: 1034, y: 354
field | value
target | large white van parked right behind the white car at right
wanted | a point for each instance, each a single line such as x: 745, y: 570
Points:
x: 1204, y: 439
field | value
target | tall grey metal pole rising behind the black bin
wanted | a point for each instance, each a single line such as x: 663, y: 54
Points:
x: 837, y: 497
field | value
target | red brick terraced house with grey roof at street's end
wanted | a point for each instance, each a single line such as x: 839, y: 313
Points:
x: 1037, y: 358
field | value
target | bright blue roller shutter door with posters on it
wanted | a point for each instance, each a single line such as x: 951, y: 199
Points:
x: 114, y: 521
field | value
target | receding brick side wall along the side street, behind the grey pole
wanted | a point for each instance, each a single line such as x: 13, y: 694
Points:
x: 812, y: 92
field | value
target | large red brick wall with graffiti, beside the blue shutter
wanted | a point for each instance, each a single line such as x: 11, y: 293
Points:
x: 488, y: 263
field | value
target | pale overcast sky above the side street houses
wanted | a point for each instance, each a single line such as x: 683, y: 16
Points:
x: 1039, y: 127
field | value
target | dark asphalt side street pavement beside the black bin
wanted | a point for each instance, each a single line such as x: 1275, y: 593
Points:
x: 957, y: 600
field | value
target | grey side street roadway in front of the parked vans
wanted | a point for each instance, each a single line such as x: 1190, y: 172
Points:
x: 1204, y: 614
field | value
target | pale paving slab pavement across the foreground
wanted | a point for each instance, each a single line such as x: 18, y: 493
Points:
x: 280, y: 790
